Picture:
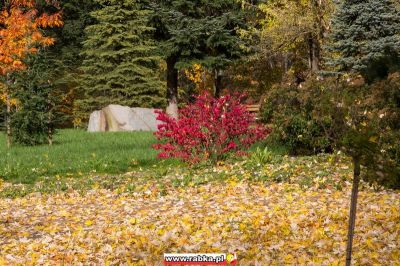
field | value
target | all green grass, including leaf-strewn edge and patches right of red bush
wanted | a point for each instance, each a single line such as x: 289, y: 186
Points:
x: 78, y: 157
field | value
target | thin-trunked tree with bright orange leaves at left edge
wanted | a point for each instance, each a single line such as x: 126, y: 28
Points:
x: 21, y: 34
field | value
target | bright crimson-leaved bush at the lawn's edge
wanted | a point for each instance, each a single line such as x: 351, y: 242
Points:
x: 208, y: 129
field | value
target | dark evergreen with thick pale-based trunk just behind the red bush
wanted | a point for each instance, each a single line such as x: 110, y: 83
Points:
x: 178, y: 36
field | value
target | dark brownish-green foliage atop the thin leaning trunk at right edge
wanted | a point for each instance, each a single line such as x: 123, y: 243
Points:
x: 365, y: 123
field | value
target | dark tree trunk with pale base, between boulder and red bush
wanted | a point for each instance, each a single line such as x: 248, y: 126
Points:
x: 172, y: 87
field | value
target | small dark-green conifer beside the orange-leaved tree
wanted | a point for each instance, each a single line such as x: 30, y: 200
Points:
x: 38, y: 107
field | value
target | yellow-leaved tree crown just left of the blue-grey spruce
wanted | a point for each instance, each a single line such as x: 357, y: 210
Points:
x: 296, y: 26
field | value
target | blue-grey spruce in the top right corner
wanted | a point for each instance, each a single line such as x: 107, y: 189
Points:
x: 366, y: 35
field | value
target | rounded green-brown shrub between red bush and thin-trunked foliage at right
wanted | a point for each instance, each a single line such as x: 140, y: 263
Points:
x: 291, y: 111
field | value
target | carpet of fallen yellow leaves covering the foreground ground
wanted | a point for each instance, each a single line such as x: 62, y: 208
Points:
x: 265, y: 223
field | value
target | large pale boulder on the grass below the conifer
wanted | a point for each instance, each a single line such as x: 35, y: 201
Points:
x: 122, y: 118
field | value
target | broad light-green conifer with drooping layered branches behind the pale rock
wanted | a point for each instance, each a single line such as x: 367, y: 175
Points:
x: 119, y: 65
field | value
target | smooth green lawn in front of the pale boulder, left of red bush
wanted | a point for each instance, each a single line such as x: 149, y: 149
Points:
x: 76, y: 152
